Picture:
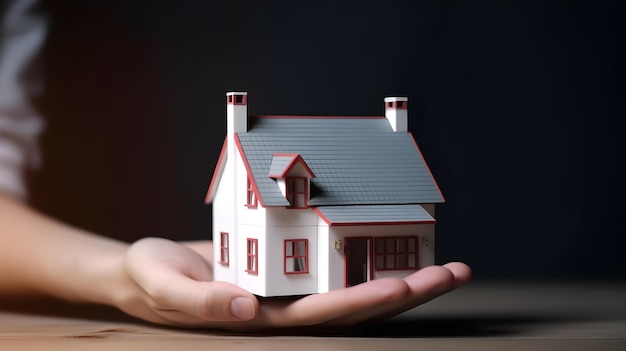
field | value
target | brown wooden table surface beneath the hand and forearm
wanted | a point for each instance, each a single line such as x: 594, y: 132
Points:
x: 481, y: 316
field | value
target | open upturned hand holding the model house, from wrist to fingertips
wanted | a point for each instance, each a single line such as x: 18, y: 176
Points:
x: 176, y: 288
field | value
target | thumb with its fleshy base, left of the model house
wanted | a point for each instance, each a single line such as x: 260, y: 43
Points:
x: 174, y: 279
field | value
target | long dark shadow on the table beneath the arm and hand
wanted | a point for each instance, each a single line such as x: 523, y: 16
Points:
x: 409, y: 327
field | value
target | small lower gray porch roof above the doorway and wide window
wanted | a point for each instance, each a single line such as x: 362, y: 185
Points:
x: 338, y: 215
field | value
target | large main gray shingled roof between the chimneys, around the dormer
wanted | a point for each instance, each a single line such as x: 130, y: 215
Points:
x: 357, y: 161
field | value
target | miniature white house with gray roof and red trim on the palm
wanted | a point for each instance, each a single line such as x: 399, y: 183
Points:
x: 309, y: 204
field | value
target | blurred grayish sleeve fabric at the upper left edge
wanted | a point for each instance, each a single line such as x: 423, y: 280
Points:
x: 22, y: 33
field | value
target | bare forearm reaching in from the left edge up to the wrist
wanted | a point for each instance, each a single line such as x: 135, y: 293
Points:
x: 41, y: 256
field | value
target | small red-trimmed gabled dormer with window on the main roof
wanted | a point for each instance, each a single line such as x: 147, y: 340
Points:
x: 293, y: 176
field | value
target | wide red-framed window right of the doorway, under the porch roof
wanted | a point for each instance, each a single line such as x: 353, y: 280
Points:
x: 396, y: 253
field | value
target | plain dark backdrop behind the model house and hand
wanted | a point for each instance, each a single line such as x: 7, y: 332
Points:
x: 517, y: 109
